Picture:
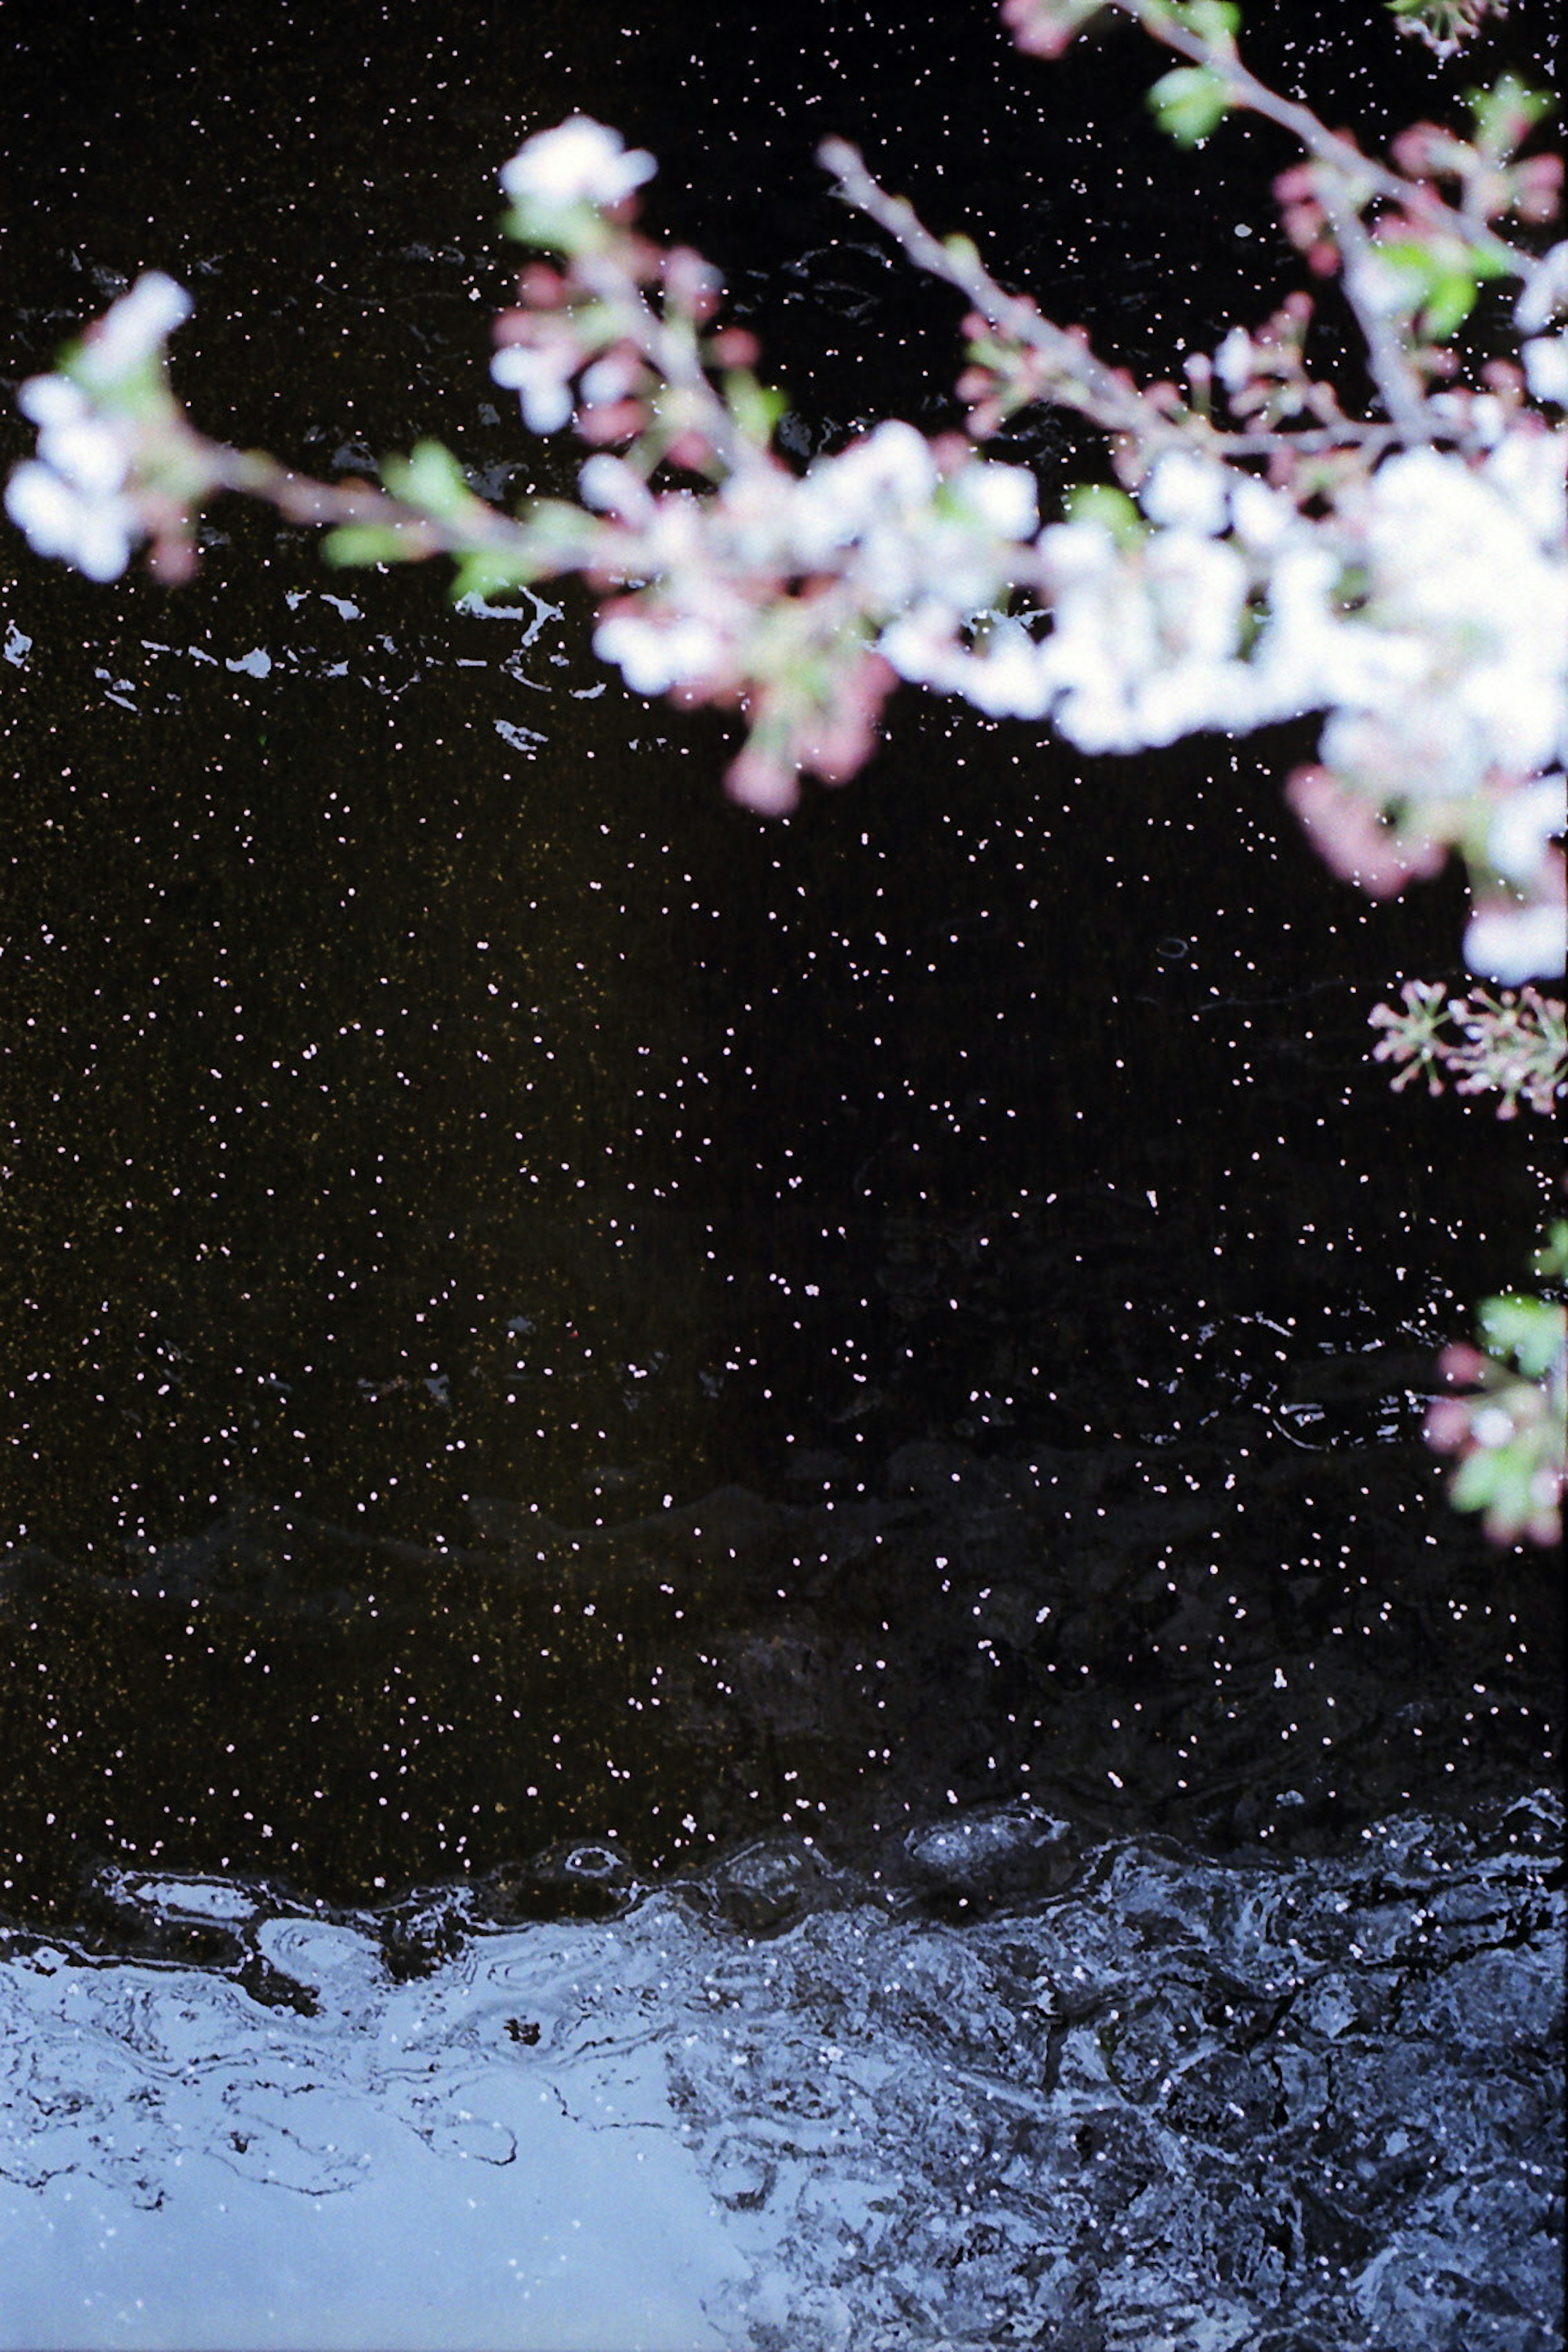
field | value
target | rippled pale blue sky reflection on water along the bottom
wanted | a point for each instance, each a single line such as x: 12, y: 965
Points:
x: 786, y: 2104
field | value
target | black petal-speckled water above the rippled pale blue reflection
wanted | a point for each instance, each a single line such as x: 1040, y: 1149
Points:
x: 415, y: 1132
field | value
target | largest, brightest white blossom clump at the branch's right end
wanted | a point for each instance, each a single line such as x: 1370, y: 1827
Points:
x: 1447, y: 686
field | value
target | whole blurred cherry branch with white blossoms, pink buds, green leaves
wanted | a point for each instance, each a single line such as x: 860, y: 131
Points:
x: 1261, y: 554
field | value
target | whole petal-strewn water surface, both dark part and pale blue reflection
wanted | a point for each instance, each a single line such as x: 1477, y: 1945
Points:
x: 812, y: 1426
